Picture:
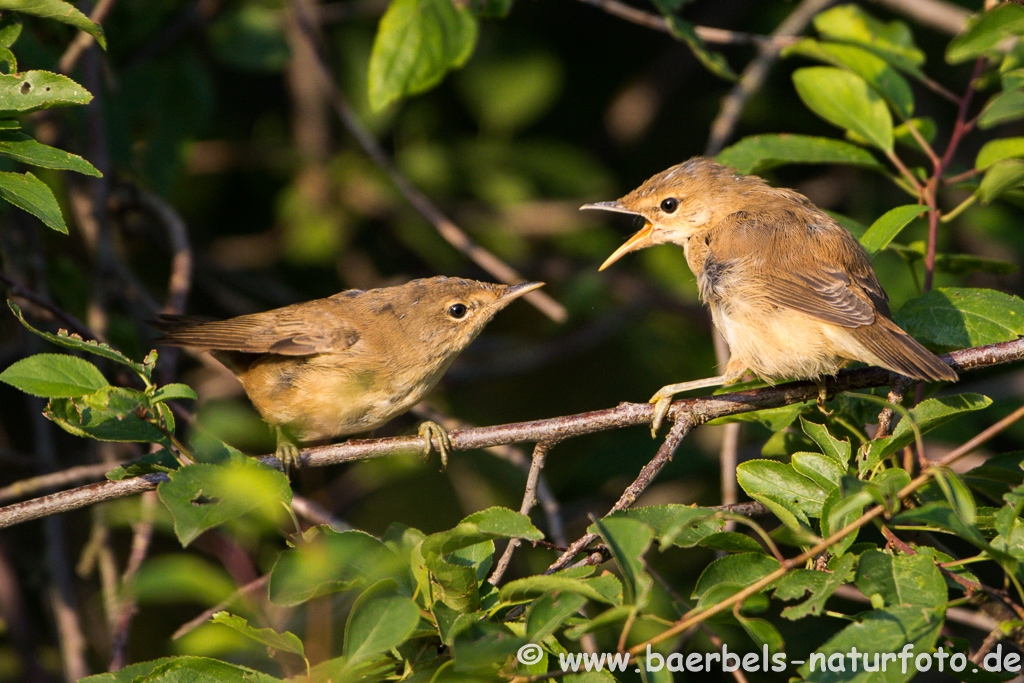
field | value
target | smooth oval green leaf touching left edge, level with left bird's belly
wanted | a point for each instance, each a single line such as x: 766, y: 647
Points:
x: 55, y: 375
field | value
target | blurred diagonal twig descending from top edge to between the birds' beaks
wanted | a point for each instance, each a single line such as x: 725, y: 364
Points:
x: 448, y: 230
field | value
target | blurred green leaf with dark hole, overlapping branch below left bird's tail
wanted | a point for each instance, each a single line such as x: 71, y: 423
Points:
x: 201, y: 497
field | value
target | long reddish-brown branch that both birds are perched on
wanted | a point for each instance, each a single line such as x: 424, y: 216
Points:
x: 696, y: 411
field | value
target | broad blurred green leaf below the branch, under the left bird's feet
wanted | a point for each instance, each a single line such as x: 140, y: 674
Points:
x: 329, y: 563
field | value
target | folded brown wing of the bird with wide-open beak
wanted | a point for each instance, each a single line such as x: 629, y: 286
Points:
x: 830, y: 279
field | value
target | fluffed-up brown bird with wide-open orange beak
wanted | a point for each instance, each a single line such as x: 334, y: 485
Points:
x: 791, y: 290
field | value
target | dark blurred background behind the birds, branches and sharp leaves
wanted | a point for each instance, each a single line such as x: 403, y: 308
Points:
x: 214, y: 110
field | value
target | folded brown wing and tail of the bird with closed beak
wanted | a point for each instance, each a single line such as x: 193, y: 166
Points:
x: 292, y: 331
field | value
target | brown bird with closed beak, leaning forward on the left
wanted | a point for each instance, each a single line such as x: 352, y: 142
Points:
x: 352, y: 362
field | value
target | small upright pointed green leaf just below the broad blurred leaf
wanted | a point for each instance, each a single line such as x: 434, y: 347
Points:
x: 381, y: 619
